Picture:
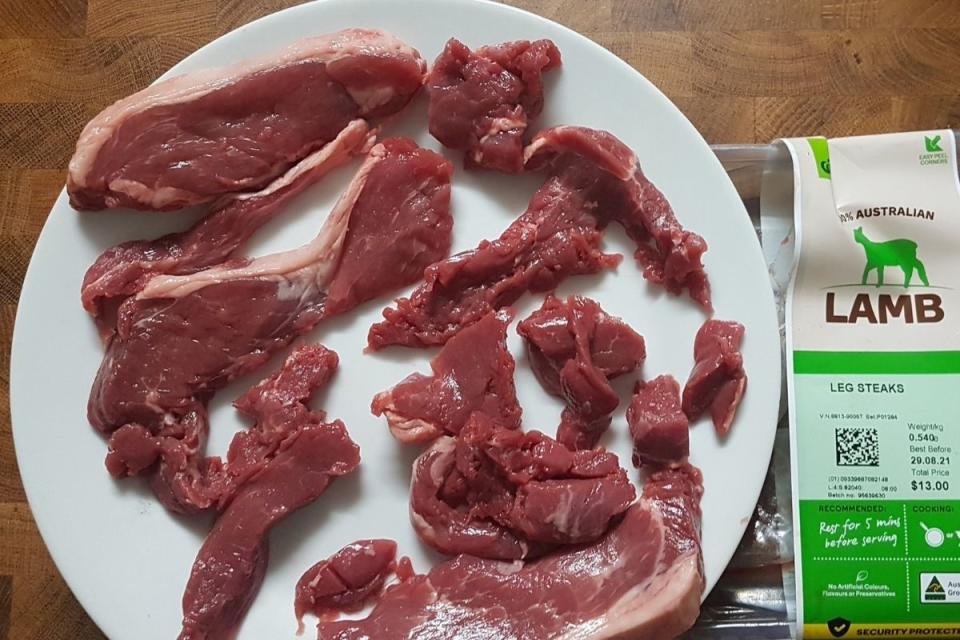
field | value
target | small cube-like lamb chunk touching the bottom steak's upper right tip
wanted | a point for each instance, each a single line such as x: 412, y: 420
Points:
x: 659, y: 428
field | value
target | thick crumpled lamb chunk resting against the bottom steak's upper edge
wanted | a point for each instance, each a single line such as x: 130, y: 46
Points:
x: 503, y: 494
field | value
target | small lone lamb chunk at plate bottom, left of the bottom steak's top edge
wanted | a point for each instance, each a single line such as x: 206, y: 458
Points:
x: 345, y: 581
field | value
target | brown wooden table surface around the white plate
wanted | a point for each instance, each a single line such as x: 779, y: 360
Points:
x: 742, y: 70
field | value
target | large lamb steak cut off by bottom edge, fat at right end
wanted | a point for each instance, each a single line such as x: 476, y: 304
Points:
x: 642, y: 581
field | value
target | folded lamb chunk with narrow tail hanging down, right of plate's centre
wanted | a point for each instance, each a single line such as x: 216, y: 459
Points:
x: 574, y: 349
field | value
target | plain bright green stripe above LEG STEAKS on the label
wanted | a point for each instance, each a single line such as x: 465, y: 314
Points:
x: 878, y: 362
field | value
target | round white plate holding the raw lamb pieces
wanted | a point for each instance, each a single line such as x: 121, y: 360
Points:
x: 127, y: 559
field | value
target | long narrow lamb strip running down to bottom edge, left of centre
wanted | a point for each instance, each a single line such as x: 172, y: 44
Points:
x: 233, y: 559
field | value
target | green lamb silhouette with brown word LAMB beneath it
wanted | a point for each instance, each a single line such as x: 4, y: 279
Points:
x: 882, y: 308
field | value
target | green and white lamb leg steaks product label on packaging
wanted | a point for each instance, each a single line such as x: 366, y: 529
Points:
x: 874, y: 385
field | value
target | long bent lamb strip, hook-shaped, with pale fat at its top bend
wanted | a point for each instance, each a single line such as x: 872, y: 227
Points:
x: 593, y: 179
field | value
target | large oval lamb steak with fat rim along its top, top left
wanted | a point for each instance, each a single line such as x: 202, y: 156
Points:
x: 195, y: 137
